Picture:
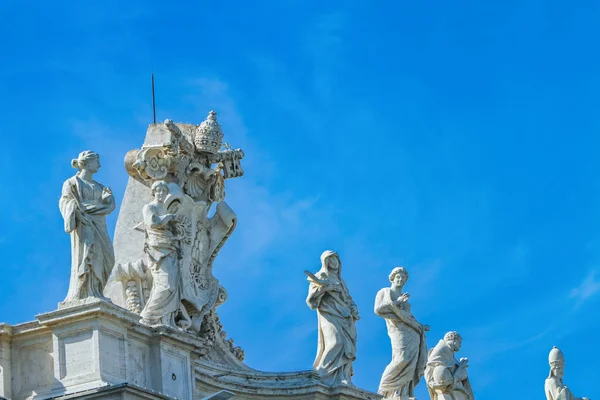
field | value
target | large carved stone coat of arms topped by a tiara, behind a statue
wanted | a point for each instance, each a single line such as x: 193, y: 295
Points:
x: 191, y: 159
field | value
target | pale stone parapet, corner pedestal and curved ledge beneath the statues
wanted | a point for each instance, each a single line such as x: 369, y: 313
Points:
x: 97, y: 350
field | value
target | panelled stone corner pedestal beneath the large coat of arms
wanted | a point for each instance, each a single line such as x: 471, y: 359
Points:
x: 91, y: 345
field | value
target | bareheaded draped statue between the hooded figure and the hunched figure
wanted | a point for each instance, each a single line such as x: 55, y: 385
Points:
x: 409, y: 348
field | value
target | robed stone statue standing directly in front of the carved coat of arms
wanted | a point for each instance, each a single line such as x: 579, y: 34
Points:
x: 162, y: 248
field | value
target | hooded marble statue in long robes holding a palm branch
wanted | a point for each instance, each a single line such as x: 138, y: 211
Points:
x: 337, y: 315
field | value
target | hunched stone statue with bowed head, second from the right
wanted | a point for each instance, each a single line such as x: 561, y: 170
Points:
x: 447, y: 377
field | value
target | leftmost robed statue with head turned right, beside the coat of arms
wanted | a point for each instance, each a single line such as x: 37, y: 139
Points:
x: 84, y: 205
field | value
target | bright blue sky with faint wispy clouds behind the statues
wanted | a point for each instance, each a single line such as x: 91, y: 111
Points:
x: 458, y: 140
